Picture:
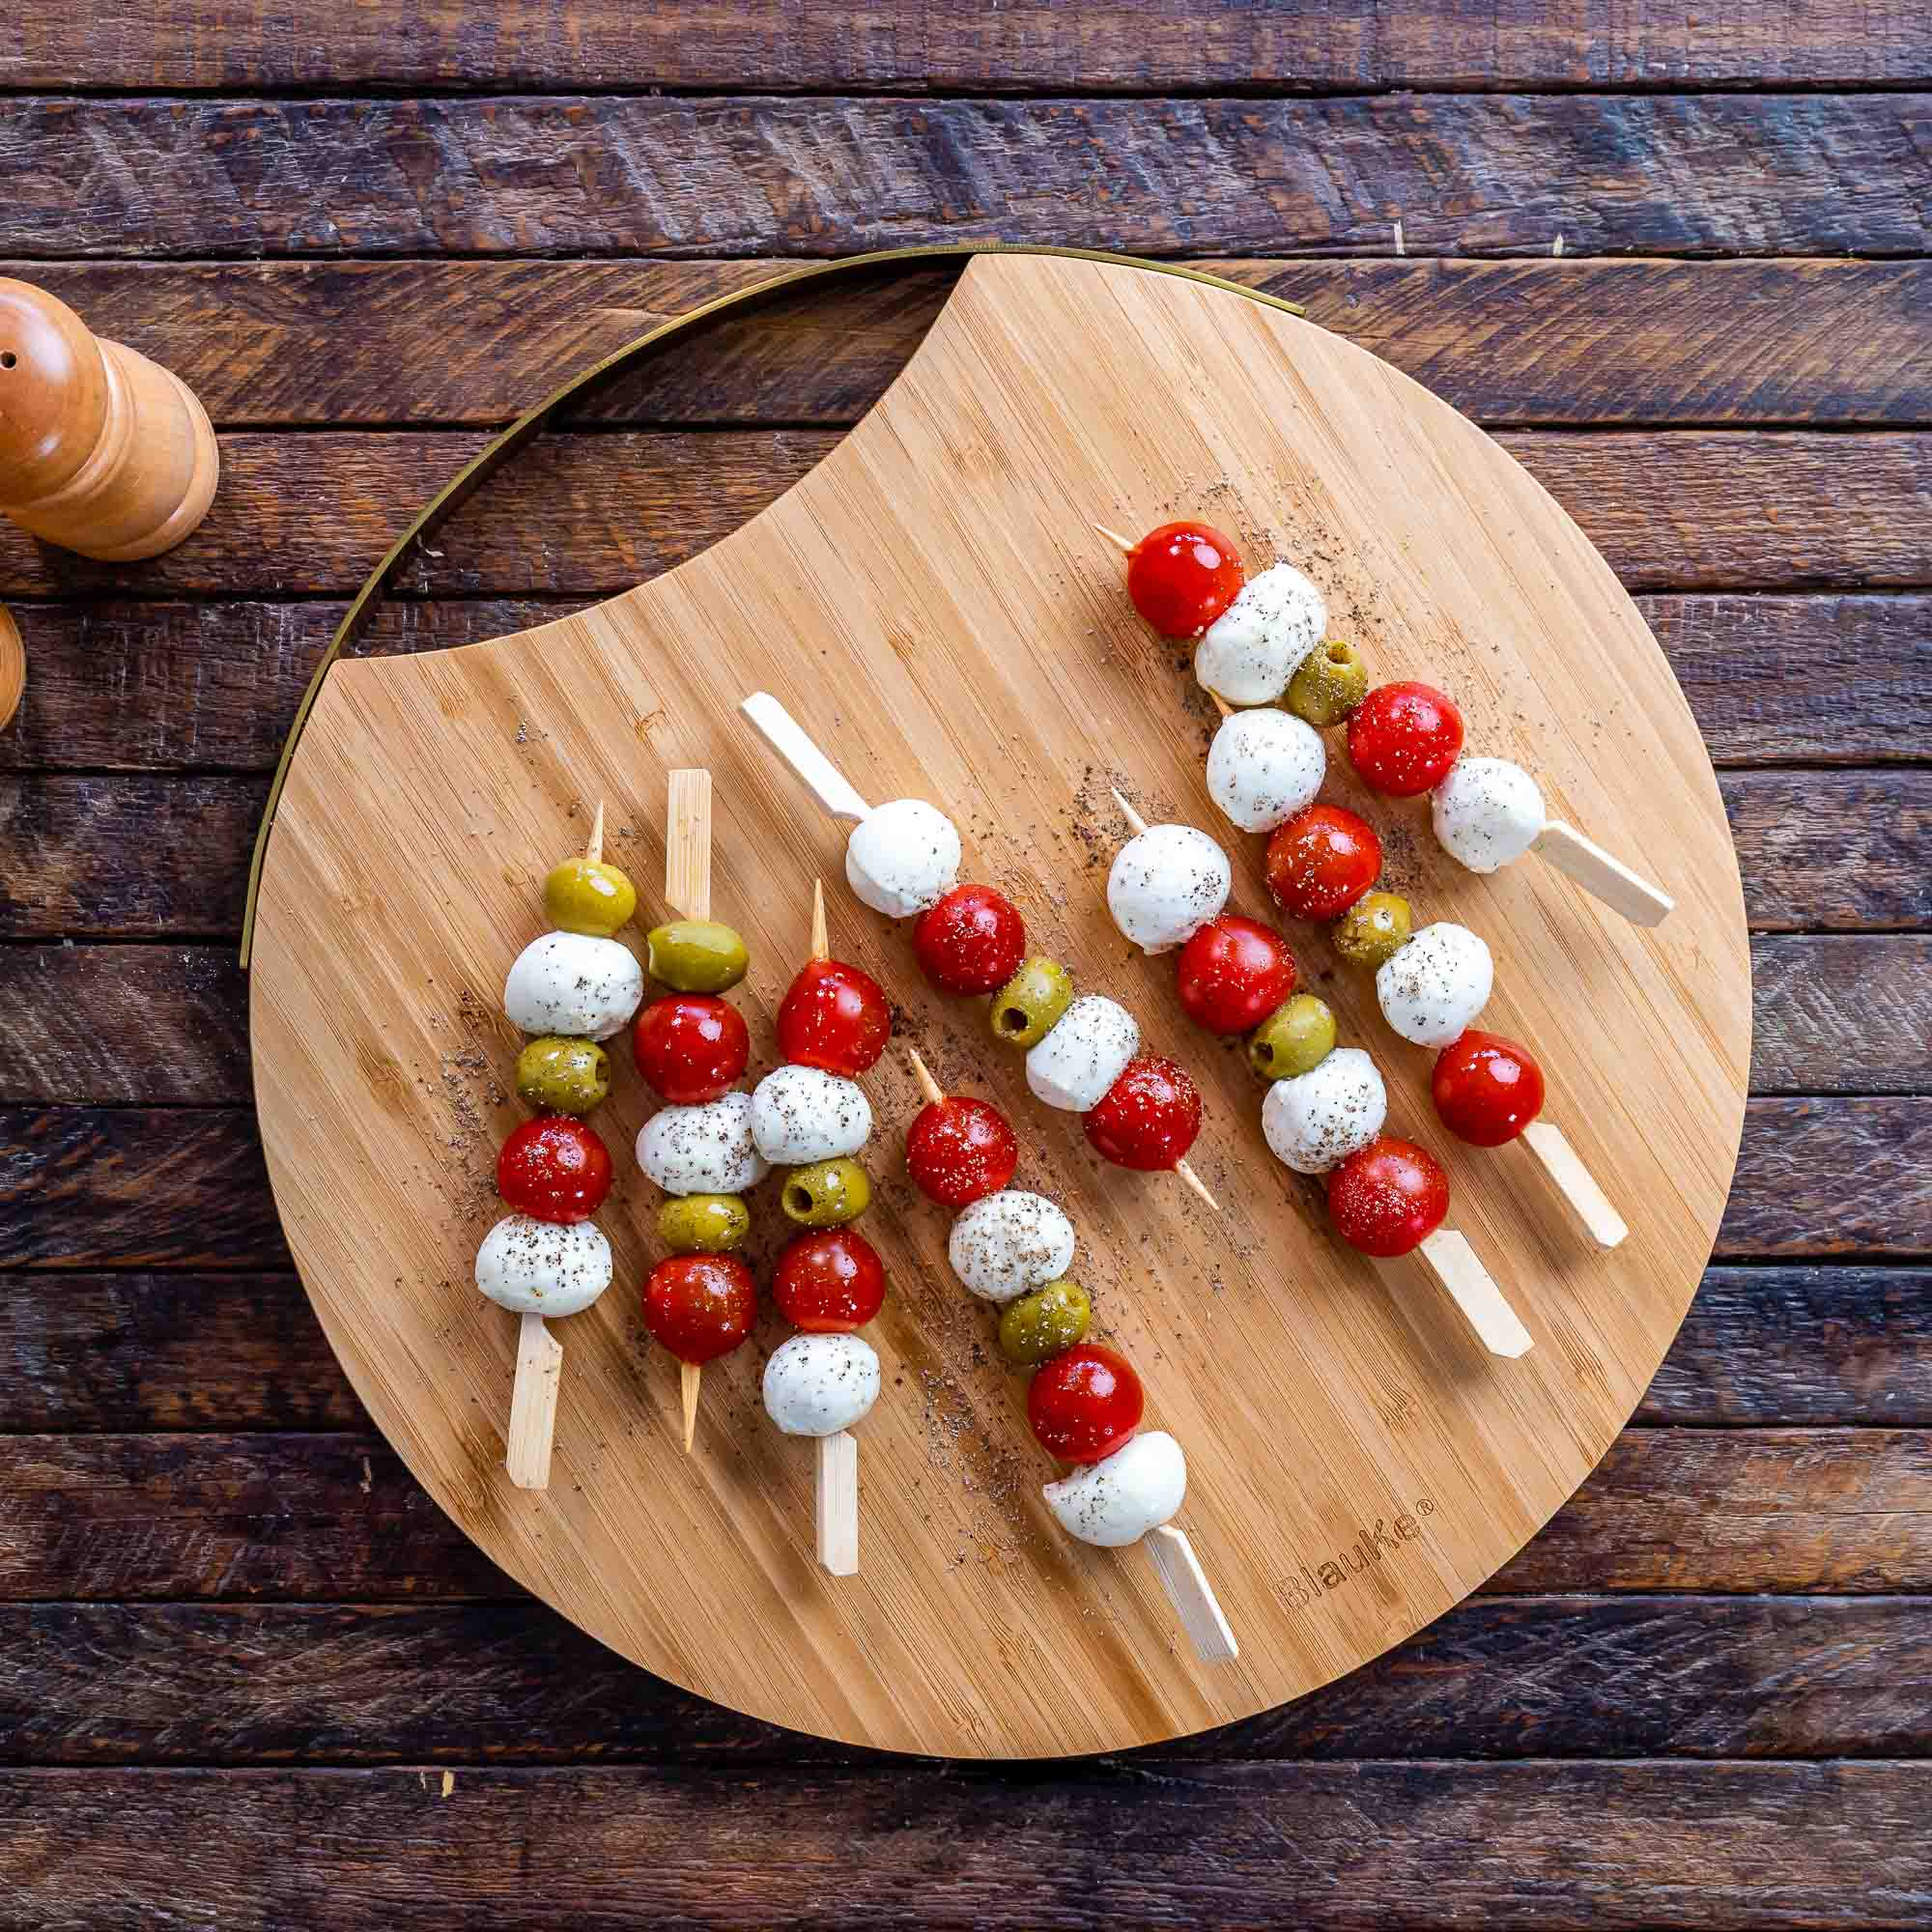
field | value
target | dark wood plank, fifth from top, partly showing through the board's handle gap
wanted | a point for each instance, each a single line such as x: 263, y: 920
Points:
x: 190, y: 687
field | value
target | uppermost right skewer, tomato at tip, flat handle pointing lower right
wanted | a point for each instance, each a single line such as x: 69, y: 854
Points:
x: 1263, y: 642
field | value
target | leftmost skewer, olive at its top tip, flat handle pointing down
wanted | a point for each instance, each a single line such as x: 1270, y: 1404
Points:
x: 571, y: 990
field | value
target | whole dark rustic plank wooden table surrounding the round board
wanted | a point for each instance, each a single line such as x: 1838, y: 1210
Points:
x: 248, y: 1674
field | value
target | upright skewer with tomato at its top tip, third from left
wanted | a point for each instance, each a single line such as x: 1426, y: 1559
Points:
x: 812, y: 1118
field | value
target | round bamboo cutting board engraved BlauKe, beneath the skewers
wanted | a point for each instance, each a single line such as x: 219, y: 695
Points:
x: 936, y: 610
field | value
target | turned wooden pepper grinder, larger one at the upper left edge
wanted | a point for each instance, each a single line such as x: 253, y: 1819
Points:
x: 101, y: 451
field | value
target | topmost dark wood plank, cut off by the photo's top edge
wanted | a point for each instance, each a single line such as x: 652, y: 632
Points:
x: 1037, y: 45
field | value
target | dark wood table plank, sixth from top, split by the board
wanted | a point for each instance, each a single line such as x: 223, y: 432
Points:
x: 157, y: 857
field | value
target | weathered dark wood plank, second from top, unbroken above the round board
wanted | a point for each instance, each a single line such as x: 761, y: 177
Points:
x: 1467, y: 175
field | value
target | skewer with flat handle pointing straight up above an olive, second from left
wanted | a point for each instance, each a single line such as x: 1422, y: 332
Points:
x: 693, y: 1050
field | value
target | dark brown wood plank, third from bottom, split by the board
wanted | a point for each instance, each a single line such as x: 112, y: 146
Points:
x: 339, y: 1520
